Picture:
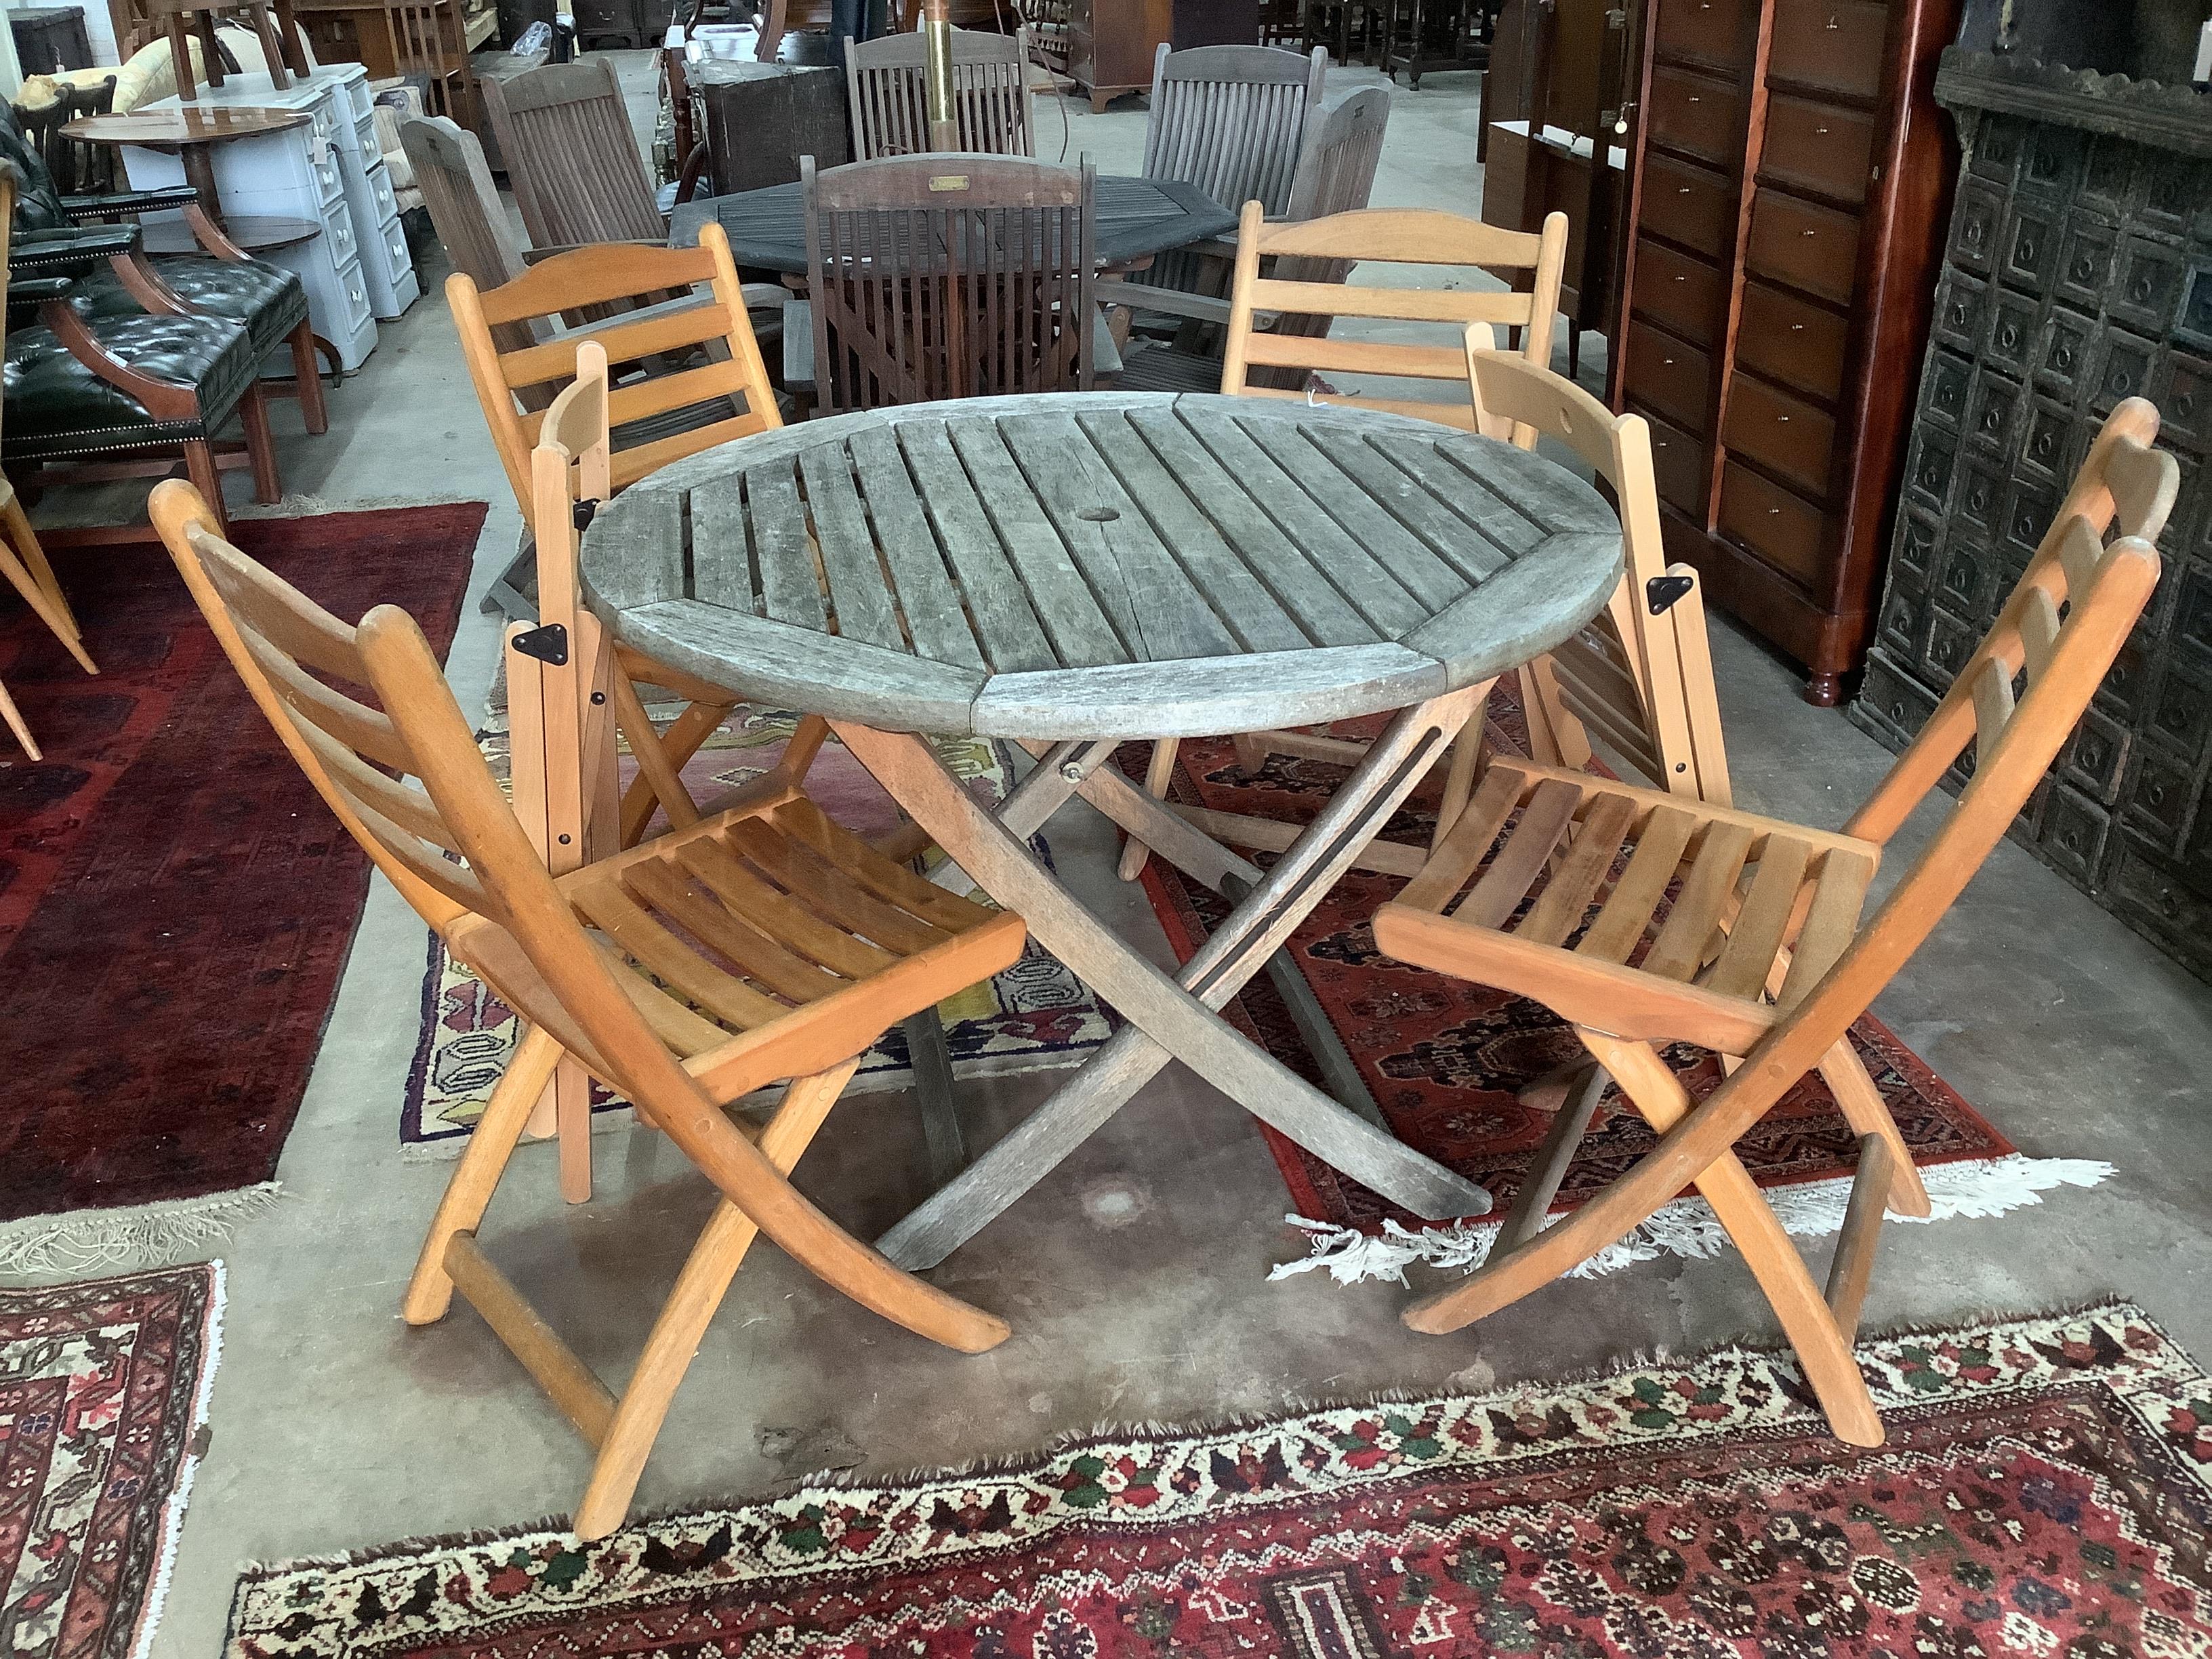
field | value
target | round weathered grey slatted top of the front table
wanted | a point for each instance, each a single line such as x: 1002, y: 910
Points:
x: 1103, y: 565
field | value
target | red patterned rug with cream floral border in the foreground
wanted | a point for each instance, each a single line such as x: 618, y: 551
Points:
x: 2047, y: 1490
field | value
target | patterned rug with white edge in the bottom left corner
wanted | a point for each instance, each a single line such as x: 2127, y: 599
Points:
x: 103, y: 1390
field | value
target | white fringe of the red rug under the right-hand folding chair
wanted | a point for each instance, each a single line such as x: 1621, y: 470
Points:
x: 1689, y: 1227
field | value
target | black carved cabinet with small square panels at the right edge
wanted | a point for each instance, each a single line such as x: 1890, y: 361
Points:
x: 2078, y: 273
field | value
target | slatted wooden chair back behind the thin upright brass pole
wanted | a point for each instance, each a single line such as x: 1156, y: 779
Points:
x: 992, y: 98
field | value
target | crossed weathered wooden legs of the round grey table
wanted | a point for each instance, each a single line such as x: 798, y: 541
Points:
x: 1169, y: 1019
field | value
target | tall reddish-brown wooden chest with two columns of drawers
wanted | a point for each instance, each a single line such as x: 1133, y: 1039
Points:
x: 1788, y: 187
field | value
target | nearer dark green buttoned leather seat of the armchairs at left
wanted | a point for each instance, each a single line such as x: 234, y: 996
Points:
x: 61, y: 408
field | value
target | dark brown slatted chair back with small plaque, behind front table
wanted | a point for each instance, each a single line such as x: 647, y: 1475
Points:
x: 948, y: 278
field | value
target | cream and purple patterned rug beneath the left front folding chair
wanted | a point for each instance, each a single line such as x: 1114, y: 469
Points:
x: 1036, y: 1016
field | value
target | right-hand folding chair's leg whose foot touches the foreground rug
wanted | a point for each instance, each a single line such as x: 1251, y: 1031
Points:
x: 1775, y: 1262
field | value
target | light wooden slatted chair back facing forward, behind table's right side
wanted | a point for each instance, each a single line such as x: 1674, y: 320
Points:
x: 1282, y: 324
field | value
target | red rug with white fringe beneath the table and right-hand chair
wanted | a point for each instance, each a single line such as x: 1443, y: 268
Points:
x: 1443, y: 1061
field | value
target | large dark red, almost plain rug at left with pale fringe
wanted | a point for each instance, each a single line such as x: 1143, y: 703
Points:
x: 176, y: 904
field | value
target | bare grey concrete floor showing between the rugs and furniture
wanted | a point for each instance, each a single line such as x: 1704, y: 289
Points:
x: 1136, y: 1277
